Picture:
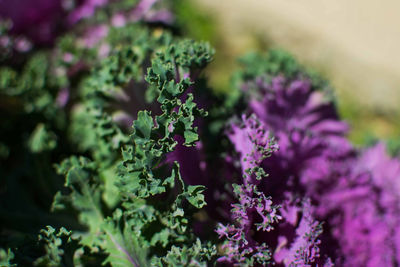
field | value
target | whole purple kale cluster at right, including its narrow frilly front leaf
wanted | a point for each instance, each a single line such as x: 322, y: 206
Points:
x: 315, y: 175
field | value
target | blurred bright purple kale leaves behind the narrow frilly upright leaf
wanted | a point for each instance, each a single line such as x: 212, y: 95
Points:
x: 356, y: 192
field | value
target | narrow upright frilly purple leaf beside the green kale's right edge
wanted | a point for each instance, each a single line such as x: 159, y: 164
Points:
x: 253, y: 144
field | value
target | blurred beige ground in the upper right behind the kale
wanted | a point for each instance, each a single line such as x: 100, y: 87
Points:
x: 354, y: 43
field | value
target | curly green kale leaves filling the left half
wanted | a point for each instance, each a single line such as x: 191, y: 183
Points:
x: 120, y: 203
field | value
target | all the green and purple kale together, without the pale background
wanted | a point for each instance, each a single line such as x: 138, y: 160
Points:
x: 115, y: 152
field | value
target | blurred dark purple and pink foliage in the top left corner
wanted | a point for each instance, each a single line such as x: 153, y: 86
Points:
x: 41, y: 21
